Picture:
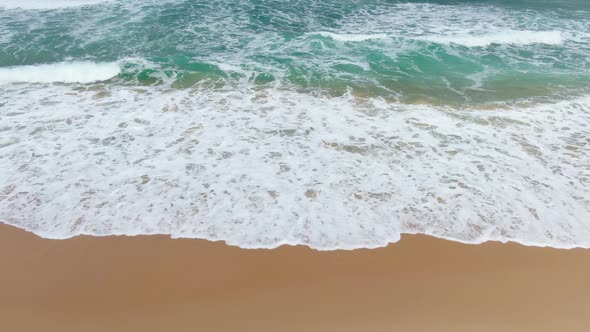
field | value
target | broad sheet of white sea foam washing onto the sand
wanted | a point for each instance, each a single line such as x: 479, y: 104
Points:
x: 261, y: 168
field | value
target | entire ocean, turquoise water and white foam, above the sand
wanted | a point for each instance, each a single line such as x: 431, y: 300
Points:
x: 332, y: 124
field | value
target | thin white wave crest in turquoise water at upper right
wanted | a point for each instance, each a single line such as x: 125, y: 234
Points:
x: 511, y: 37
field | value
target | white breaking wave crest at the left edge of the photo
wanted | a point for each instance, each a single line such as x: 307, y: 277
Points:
x: 65, y: 72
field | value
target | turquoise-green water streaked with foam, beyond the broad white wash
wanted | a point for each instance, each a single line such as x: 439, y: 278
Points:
x: 439, y: 52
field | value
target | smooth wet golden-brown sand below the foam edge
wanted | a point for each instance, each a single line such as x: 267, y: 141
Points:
x: 154, y: 283
